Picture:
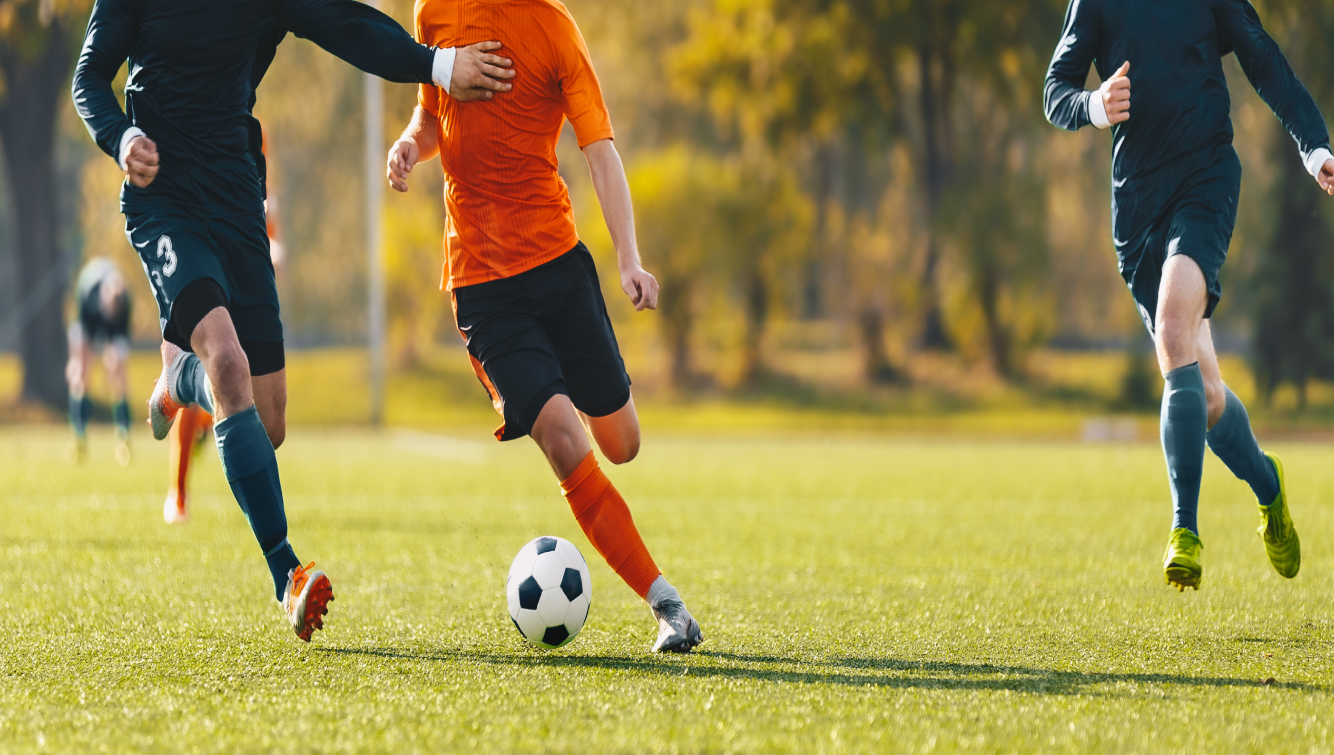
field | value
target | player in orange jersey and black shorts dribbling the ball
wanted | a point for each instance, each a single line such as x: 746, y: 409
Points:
x: 526, y: 293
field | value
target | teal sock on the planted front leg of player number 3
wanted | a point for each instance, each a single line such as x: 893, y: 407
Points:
x: 251, y: 470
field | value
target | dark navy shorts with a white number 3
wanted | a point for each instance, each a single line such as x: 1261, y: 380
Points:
x: 179, y: 249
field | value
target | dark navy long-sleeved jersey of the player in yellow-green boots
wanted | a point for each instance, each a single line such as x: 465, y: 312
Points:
x: 1179, y: 95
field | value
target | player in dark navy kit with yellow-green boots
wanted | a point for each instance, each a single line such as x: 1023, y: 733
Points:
x: 1176, y: 183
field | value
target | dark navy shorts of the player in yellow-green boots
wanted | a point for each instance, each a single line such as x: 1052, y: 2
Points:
x: 1199, y: 223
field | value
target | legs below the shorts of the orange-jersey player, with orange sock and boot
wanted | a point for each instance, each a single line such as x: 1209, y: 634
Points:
x: 604, y: 517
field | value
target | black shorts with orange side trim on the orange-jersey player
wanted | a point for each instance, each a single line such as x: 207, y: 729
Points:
x: 540, y: 334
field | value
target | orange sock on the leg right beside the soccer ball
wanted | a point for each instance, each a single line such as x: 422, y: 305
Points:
x: 606, y: 521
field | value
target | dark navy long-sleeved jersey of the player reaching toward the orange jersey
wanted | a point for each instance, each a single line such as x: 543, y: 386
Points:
x: 194, y: 69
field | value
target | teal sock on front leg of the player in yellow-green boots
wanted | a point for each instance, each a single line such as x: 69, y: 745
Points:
x: 1185, y: 418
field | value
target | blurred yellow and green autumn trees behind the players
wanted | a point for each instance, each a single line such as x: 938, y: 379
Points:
x: 865, y: 183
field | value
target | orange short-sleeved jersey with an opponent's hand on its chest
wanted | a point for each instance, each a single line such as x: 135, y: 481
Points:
x: 508, y: 209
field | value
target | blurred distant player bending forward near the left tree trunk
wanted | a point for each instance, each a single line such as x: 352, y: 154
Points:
x: 101, y: 329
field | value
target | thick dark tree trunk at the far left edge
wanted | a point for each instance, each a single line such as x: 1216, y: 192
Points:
x: 29, y: 127
